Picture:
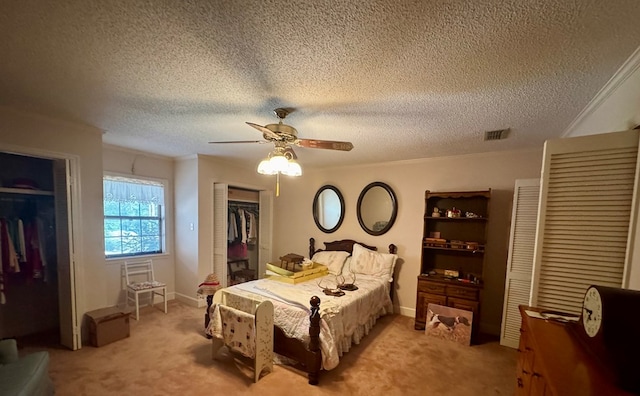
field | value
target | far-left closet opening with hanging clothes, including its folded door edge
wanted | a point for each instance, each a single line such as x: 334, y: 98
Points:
x: 37, y: 299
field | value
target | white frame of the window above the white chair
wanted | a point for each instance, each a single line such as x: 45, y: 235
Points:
x: 162, y: 218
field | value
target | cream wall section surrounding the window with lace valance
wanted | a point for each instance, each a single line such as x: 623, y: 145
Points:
x: 135, y: 163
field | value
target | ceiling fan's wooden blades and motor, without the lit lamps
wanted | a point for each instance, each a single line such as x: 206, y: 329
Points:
x: 283, y: 135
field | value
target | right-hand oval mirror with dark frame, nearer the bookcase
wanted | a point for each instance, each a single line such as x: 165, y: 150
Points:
x: 377, y: 208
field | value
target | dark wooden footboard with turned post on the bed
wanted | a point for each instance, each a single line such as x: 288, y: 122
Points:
x: 310, y: 357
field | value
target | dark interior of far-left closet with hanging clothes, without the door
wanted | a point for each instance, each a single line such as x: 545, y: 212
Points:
x: 28, y: 275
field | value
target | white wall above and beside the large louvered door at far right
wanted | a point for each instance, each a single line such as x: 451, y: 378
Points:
x: 616, y: 108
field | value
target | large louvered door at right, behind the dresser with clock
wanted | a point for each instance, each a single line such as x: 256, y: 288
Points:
x: 587, y: 191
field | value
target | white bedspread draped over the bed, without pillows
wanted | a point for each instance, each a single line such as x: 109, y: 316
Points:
x: 344, y: 320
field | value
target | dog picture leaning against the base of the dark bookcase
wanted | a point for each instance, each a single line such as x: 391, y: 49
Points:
x: 449, y: 323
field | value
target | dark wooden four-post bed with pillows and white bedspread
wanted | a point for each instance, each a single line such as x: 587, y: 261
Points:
x: 315, y: 329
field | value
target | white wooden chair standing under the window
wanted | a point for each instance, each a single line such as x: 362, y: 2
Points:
x: 141, y: 279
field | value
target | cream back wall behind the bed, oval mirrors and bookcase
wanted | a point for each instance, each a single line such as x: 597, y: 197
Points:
x: 409, y: 180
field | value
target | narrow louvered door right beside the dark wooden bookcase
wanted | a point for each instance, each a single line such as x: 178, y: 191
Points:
x: 520, y: 260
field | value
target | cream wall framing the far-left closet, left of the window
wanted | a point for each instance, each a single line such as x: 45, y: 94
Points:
x: 30, y: 134
